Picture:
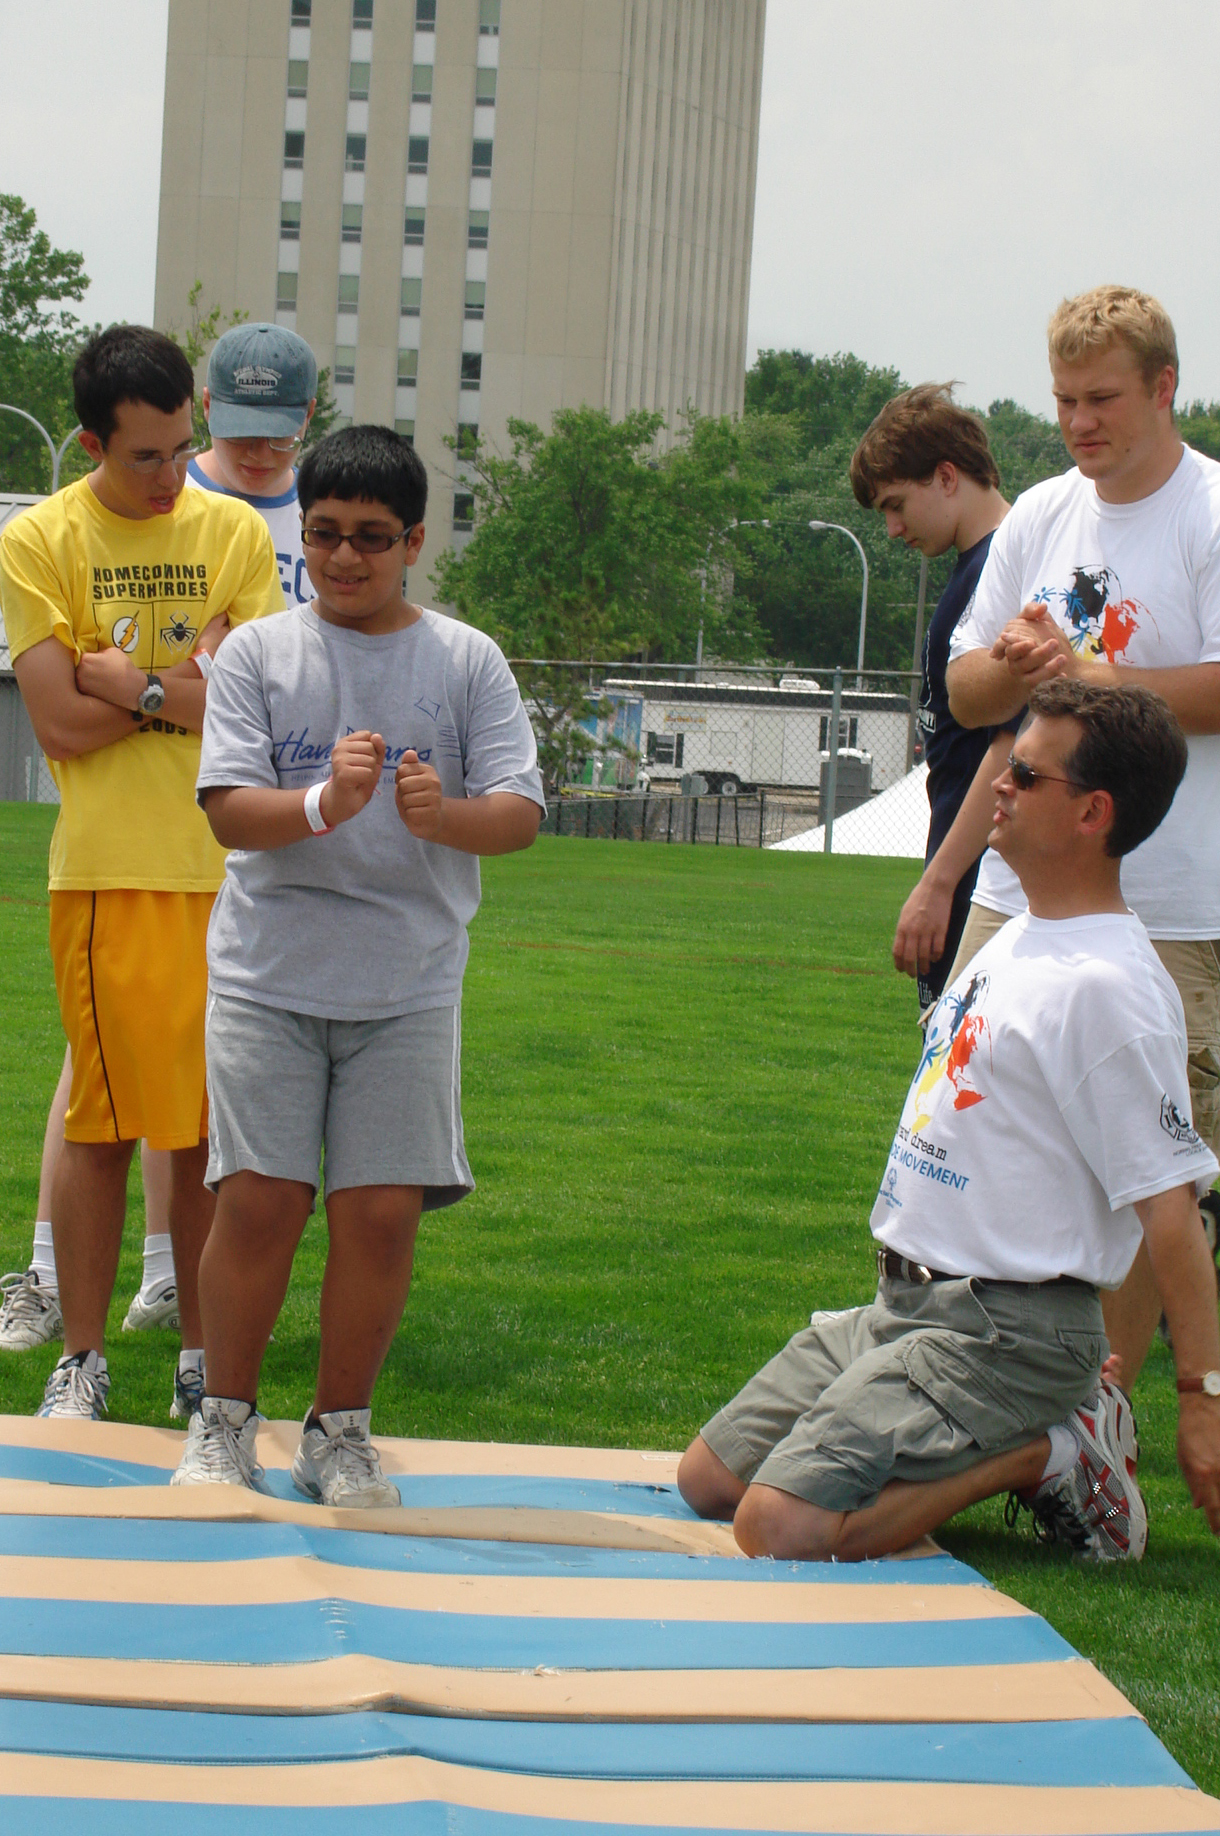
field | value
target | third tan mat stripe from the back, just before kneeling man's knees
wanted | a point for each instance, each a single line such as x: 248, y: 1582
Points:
x: 278, y: 1580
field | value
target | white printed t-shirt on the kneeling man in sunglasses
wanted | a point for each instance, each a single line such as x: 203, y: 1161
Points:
x: 1050, y: 1099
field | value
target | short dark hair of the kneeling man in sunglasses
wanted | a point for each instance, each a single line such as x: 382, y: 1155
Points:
x: 1131, y: 746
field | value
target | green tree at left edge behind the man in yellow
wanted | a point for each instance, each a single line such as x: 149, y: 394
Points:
x: 40, y: 339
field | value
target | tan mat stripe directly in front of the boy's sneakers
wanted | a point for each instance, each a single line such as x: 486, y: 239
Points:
x: 231, y: 1505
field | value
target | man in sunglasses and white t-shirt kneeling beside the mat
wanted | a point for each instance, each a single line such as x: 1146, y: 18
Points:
x: 1045, y: 1137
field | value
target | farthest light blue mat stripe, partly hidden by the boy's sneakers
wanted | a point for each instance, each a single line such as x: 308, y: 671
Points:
x: 429, y: 1492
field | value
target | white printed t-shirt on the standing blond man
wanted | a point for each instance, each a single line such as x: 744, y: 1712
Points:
x: 1138, y: 585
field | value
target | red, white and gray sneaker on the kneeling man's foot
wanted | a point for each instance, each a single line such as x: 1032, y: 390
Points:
x: 1096, y: 1506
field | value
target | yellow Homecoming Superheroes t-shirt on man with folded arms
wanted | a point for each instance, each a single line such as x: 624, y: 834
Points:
x: 76, y: 572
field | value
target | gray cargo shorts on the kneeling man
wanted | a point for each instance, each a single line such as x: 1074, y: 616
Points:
x: 923, y: 1383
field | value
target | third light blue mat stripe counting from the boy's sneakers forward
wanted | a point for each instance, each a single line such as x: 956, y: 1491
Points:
x: 308, y: 1631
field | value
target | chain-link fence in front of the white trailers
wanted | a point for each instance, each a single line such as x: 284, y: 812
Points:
x: 828, y: 761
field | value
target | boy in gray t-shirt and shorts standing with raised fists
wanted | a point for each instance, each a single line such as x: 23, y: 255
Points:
x: 359, y: 756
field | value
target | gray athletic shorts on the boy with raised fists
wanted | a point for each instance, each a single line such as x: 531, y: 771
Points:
x: 381, y: 1097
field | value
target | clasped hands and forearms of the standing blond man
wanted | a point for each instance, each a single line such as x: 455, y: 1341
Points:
x: 991, y: 686
